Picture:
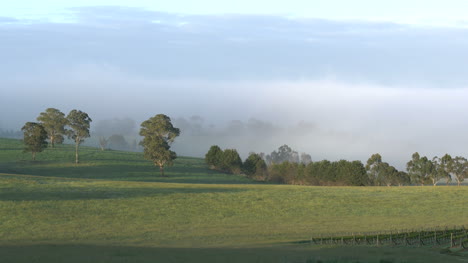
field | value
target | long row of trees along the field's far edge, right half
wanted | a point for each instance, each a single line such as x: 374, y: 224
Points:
x: 288, y: 167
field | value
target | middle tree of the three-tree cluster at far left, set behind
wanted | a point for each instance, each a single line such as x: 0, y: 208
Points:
x: 53, y: 121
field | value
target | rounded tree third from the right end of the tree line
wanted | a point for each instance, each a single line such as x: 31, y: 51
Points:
x: 420, y: 169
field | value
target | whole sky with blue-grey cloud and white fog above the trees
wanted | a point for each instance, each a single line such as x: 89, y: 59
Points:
x: 335, y: 79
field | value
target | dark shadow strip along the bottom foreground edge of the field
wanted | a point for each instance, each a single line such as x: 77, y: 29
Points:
x: 90, y: 253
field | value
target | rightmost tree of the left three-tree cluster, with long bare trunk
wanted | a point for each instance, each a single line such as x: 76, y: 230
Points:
x: 79, y: 123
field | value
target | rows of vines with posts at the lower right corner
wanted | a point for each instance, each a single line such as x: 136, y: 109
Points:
x: 454, y: 237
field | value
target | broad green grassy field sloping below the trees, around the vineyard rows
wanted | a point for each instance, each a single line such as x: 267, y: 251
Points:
x: 114, y: 207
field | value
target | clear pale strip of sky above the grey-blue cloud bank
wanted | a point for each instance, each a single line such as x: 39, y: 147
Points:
x: 418, y: 12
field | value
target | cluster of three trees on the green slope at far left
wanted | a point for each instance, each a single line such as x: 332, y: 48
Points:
x: 53, y: 126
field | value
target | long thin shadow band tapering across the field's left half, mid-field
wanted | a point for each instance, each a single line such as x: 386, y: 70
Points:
x: 70, y: 193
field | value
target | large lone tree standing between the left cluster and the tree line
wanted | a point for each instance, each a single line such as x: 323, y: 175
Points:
x: 158, y: 134
